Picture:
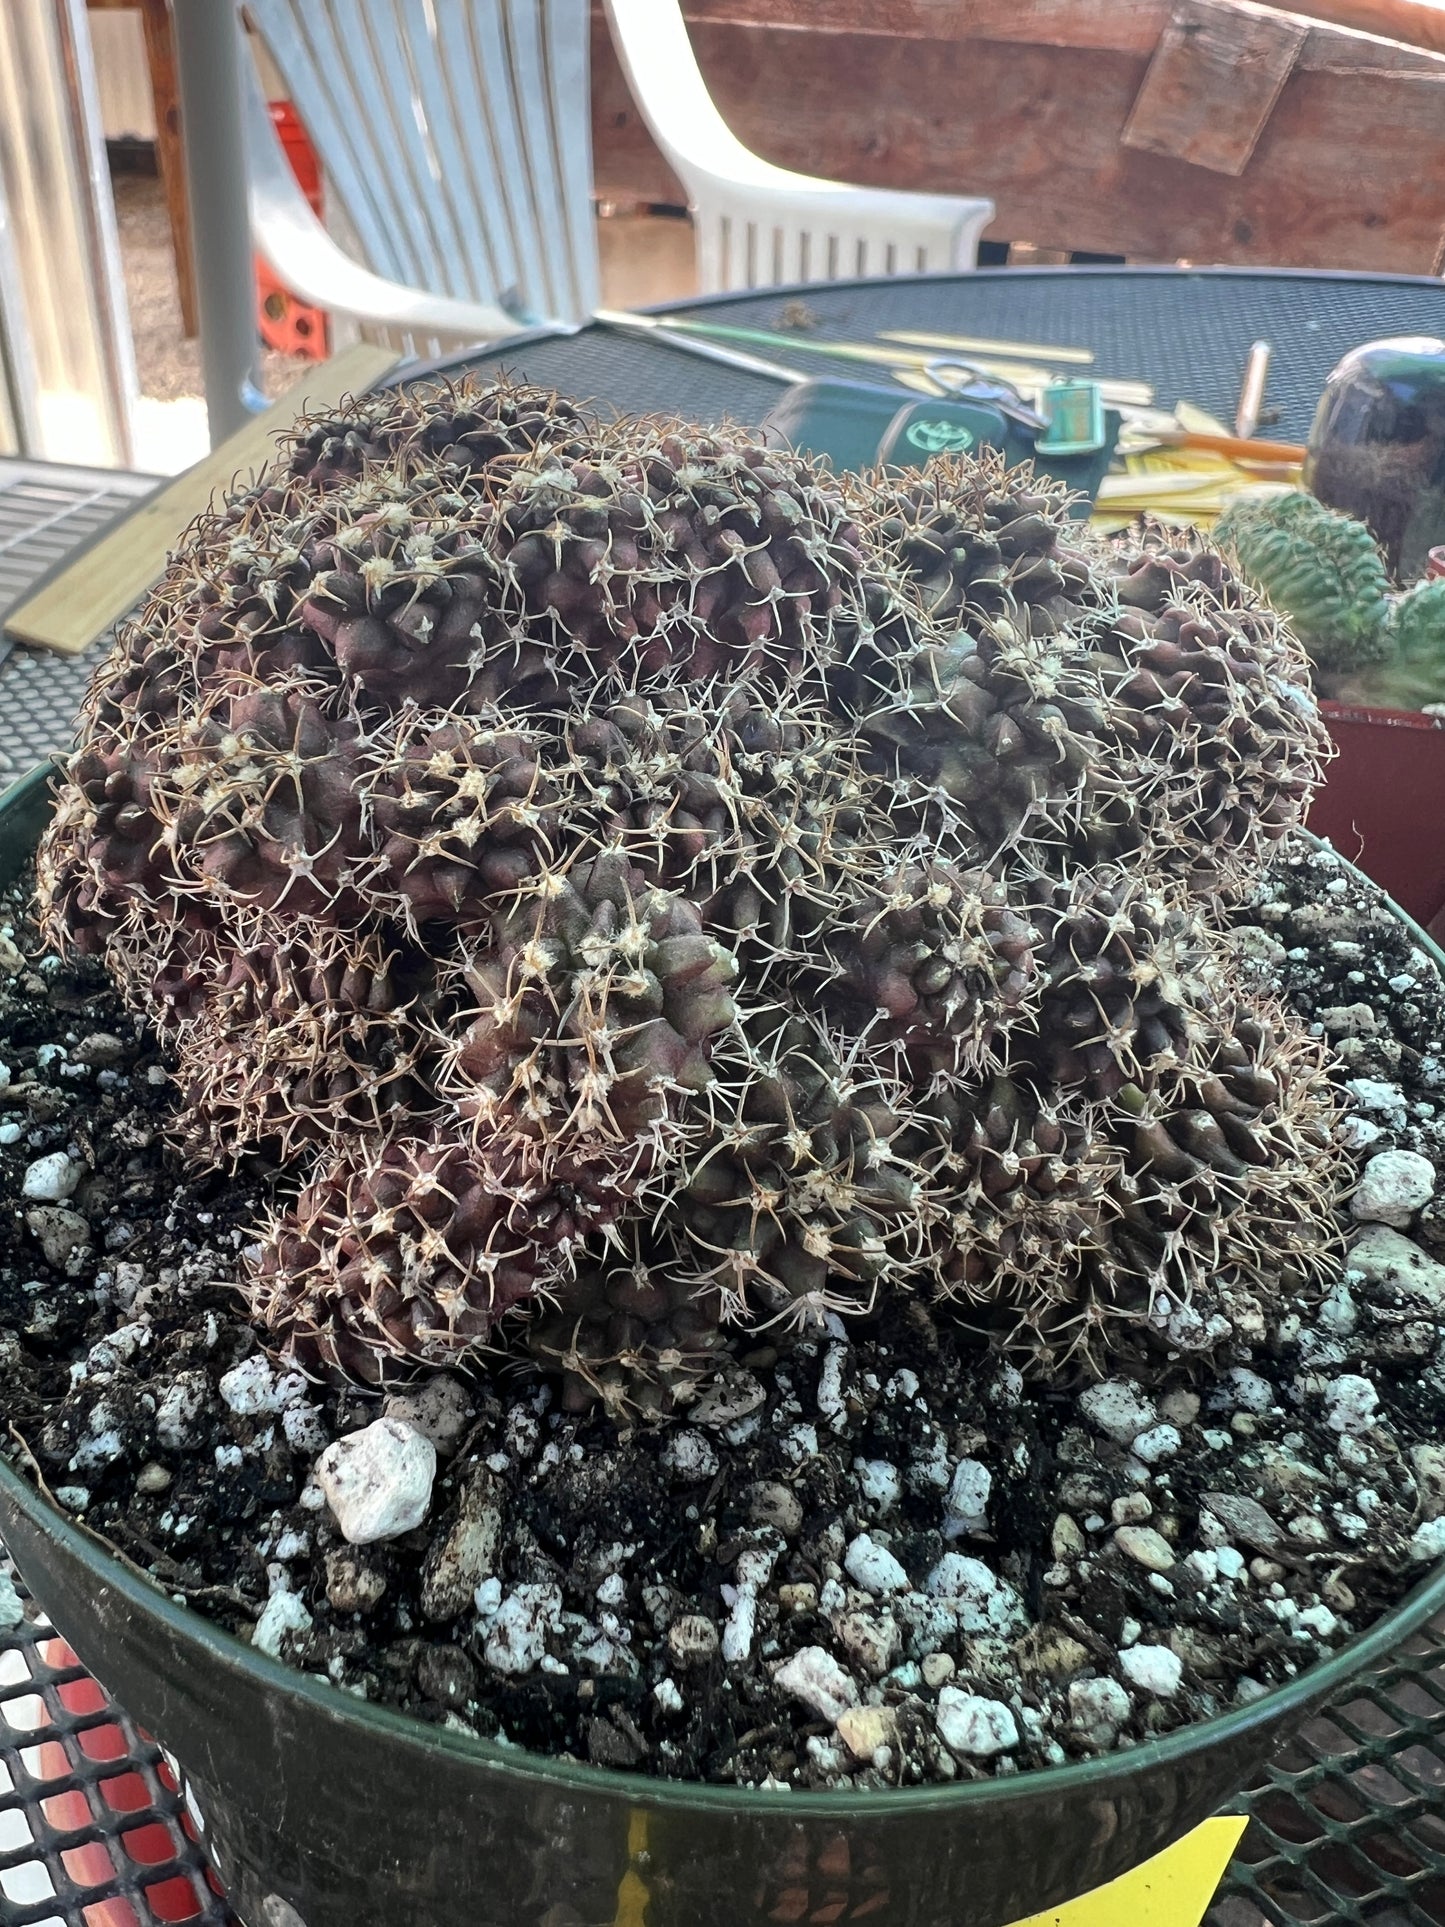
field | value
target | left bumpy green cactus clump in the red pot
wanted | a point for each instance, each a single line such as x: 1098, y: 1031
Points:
x: 1321, y: 569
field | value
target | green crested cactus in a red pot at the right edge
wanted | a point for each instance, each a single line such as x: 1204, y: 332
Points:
x: 1380, y: 666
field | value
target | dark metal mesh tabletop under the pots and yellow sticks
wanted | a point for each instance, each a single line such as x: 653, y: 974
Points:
x: 1348, y: 1828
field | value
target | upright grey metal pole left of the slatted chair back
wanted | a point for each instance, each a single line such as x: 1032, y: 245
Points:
x: 209, y: 72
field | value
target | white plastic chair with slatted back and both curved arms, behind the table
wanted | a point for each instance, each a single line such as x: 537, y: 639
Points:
x: 456, y: 144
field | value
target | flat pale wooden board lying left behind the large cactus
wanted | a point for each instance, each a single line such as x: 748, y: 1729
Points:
x: 101, y: 583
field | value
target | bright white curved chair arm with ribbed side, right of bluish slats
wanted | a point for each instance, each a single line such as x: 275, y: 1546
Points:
x: 758, y: 224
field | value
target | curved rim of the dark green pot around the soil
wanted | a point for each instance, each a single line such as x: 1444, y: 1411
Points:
x: 367, y: 1718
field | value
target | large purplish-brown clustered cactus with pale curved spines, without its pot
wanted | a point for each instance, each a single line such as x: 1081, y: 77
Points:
x: 648, y: 889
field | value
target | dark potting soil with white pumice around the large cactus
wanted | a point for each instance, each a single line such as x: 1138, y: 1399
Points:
x: 880, y: 1560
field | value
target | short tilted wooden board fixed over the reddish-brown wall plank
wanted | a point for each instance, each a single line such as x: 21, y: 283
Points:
x: 1215, y: 82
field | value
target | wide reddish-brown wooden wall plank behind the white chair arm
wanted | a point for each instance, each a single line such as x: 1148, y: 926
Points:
x: 1038, y: 128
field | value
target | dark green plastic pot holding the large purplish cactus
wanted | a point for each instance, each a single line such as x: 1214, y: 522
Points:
x: 328, y: 1812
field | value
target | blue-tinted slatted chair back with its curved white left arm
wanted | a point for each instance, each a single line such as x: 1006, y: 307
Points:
x: 456, y: 140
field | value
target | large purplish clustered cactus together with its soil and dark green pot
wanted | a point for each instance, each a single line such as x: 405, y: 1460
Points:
x: 693, y: 1165
